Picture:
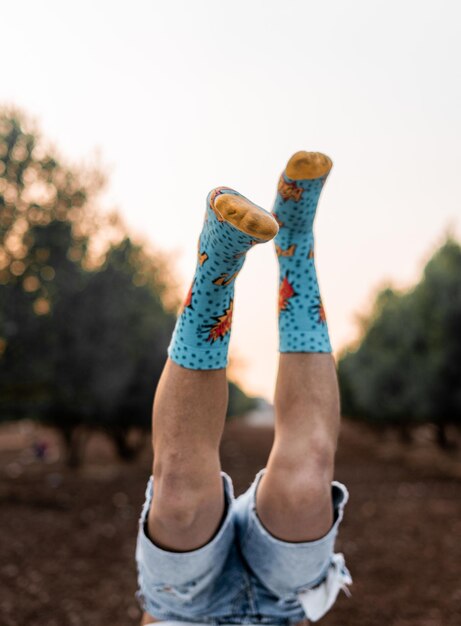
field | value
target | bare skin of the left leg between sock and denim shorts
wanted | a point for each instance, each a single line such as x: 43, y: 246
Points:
x: 188, y: 419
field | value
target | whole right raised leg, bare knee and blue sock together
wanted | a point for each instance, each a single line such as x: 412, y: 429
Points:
x: 294, y: 496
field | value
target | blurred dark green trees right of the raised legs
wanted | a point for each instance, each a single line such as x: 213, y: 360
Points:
x: 406, y: 369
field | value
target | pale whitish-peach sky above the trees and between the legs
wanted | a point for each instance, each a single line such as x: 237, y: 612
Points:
x: 180, y: 96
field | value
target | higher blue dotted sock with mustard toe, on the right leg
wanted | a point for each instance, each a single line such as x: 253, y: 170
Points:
x: 302, y: 321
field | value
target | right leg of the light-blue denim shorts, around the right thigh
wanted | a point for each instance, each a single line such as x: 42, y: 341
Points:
x: 285, y: 568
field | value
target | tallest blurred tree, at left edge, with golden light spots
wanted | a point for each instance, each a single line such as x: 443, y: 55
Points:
x: 45, y: 225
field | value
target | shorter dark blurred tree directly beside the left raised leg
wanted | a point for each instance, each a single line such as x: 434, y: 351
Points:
x: 123, y: 333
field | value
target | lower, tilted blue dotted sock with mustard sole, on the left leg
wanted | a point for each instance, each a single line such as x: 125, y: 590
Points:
x: 232, y: 225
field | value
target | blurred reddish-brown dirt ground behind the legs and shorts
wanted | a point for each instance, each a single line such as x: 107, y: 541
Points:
x: 67, y: 538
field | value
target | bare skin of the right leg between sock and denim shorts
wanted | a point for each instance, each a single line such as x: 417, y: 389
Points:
x: 294, y: 495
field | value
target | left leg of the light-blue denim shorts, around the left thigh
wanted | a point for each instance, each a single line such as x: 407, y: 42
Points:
x: 188, y: 585
